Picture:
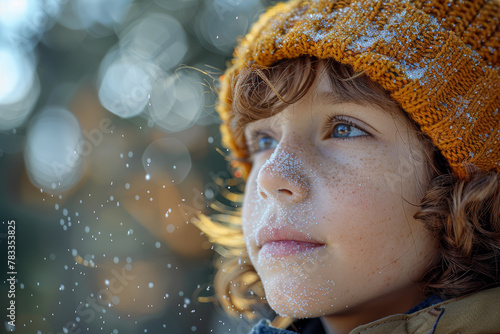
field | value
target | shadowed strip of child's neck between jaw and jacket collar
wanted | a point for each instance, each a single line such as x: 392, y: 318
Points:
x: 345, y: 321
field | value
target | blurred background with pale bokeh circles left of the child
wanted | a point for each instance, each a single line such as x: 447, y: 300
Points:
x: 109, y: 144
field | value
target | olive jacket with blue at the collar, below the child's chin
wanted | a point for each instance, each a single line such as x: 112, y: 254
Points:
x: 476, y: 313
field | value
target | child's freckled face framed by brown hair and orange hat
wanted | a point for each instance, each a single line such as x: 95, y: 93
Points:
x: 351, y: 189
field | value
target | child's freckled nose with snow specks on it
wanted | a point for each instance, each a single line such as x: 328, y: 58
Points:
x: 281, y: 178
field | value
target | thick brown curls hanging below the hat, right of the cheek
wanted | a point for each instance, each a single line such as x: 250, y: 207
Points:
x: 465, y: 217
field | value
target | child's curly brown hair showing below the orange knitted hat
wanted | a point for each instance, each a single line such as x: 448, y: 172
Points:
x: 463, y: 215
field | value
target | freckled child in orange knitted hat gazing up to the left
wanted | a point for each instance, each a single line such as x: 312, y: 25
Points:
x: 368, y: 136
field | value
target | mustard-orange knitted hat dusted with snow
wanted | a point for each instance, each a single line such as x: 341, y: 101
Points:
x: 439, y: 59
